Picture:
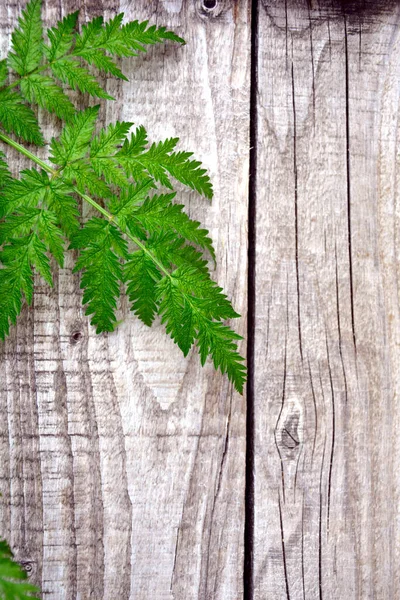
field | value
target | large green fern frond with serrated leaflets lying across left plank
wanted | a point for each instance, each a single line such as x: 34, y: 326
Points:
x: 140, y: 239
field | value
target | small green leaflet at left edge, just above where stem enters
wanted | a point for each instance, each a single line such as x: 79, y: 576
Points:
x: 16, y: 117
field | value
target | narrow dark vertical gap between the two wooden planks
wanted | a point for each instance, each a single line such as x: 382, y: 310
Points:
x: 248, y: 575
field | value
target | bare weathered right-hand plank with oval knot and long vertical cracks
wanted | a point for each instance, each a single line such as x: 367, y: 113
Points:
x: 327, y: 307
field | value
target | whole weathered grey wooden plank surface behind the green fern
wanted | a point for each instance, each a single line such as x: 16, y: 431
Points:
x: 127, y: 471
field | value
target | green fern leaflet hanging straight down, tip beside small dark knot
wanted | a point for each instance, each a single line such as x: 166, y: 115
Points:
x: 100, y: 244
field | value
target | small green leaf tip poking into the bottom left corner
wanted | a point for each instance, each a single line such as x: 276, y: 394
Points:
x: 13, y: 579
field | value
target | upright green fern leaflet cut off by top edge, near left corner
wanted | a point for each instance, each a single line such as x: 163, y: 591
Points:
x: 26, y: 41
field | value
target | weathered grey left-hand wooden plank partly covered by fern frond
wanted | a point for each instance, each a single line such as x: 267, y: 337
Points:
x: 122, y: 463
